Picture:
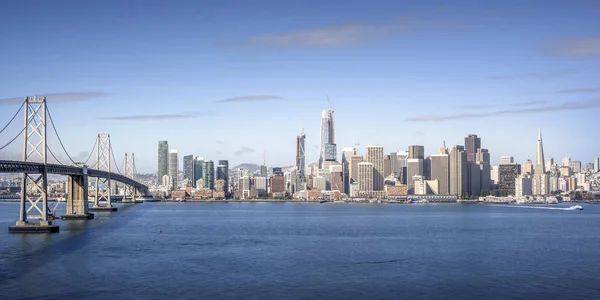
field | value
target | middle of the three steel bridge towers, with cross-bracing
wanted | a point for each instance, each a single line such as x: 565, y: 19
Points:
x: 102, y: 201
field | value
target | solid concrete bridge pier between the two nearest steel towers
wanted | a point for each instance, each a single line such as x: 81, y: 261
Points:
x: 77, y: 198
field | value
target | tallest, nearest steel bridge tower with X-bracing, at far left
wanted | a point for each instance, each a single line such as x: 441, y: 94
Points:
x: 34, y: 183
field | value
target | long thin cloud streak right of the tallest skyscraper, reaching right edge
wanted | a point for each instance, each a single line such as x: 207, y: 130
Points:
x: 579, y: 105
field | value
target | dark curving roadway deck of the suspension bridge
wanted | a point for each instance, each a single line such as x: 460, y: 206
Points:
x: 11, y: 166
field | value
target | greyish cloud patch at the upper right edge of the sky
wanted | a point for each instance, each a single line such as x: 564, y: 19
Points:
x: 578, y: 47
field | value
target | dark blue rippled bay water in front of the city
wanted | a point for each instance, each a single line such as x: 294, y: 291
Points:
x: 307, y: 251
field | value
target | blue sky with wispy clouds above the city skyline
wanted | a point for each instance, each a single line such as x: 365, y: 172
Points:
x: 232, y: 79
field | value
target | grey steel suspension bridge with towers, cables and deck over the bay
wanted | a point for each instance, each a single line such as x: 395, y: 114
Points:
x: 35, y: 215
